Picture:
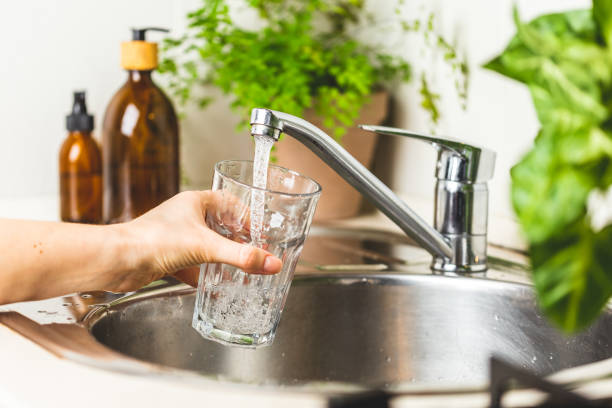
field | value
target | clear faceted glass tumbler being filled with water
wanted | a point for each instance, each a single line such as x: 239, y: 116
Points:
x: 233, y: 307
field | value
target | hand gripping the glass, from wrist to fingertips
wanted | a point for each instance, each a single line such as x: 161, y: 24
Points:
x: 173, y: 238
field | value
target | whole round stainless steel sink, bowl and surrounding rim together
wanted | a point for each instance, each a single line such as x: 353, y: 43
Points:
x: 364, y: 311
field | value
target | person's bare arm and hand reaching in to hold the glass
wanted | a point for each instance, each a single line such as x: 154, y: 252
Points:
x: 46, y: 259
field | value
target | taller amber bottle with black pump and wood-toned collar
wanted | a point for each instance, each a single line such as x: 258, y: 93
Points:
x: 140, y: 139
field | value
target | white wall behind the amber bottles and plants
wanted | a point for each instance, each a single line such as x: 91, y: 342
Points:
x: 53, y: 47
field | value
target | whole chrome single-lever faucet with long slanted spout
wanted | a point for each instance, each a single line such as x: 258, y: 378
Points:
x: 458, y: 243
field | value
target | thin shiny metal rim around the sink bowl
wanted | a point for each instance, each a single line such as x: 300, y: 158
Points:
x: 113, y: 361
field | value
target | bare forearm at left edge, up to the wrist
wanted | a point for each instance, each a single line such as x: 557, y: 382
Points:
x: 45, y: 259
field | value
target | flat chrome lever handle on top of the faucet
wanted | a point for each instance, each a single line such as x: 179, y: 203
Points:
x: 457, y: 161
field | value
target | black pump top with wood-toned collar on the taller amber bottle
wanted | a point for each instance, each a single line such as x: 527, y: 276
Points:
x: 138, y: 54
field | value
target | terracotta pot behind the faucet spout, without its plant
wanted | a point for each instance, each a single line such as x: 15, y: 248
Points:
x: 338, y: 198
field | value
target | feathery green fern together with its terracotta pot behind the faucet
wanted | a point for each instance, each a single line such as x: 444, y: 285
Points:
x: 302, y: 57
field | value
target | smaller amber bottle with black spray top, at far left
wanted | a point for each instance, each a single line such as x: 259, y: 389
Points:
x: 80, y: 165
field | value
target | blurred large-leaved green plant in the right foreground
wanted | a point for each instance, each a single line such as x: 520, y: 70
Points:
x: 565, y: 59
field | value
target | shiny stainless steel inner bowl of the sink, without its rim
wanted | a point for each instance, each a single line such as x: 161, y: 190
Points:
x: 374, y: 330
